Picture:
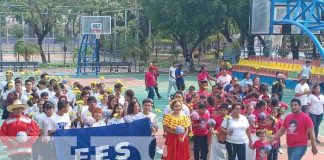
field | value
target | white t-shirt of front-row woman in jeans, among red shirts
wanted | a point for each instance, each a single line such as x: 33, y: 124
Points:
x: 238, y: 126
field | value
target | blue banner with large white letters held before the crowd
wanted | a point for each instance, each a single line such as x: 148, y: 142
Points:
x: 121, y: 141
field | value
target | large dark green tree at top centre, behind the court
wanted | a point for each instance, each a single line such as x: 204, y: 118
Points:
x: 190, y: 22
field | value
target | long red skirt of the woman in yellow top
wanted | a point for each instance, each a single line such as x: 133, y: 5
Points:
x: 174, y: 149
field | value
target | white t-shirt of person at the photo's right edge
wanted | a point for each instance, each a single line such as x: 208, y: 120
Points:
x: 316, y: 104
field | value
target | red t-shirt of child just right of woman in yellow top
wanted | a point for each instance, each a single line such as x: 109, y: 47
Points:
x: 202, y: 128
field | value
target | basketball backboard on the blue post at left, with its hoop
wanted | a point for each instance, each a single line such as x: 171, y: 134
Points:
x: 93, y: 24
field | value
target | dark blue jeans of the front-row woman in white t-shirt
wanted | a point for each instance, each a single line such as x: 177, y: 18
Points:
x: 236, y: 150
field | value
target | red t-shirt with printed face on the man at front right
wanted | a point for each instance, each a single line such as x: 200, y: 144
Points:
x: 296, y: 126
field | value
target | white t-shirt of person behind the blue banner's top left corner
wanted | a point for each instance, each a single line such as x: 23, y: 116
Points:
x: 58, y: 122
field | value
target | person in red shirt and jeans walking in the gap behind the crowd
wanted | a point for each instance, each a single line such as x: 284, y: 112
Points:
x: 150, y: 82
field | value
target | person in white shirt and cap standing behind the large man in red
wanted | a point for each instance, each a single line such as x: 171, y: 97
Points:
x: 301, y: 92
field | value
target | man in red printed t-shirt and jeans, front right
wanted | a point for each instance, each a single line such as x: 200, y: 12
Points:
x: 298, y: 126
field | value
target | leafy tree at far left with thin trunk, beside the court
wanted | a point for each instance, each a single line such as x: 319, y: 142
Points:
x: 41, y: 15
